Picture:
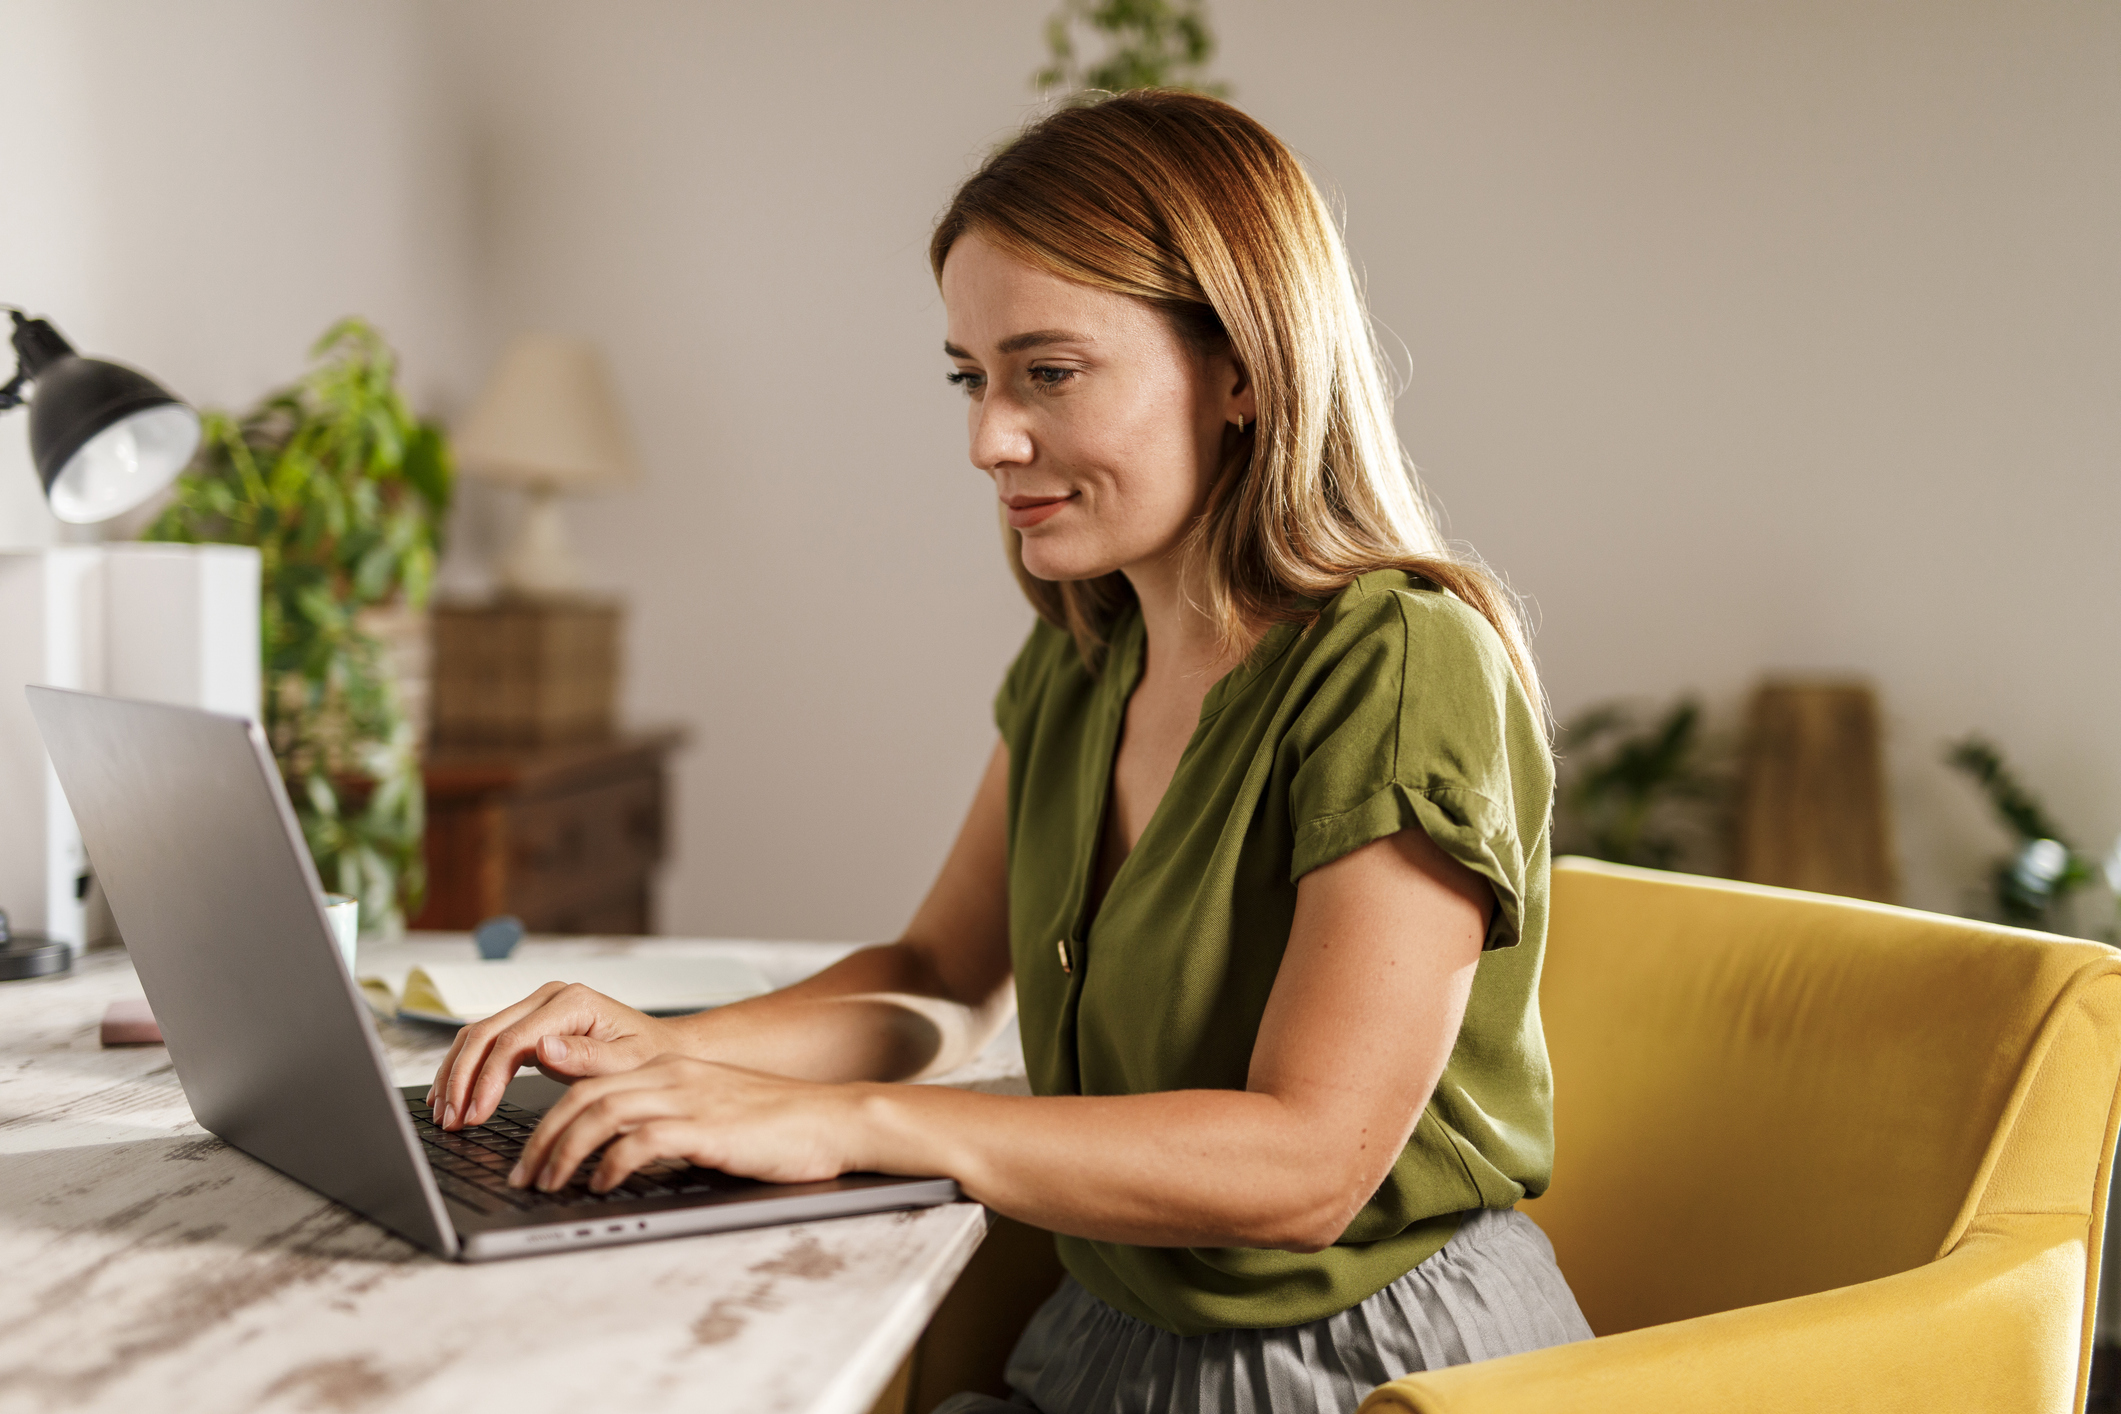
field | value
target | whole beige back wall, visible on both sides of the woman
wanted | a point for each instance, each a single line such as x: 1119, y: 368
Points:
x: 1745, y: 338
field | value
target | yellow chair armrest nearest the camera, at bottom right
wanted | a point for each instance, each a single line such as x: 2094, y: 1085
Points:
x: 1993, y: 1326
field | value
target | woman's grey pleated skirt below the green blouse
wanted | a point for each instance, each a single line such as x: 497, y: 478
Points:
x: 1492, y: 1290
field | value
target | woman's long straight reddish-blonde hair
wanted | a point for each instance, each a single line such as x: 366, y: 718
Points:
x: 1189, y: 205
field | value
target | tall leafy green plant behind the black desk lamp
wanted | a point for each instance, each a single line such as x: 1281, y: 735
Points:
x: 343, y: 491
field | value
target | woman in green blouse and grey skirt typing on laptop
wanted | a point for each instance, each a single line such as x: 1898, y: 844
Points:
x: 1261, y: 858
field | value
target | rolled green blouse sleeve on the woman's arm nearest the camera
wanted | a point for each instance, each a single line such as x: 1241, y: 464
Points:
x: 1422, y: 722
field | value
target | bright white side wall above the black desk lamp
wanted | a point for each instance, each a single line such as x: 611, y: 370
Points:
x: 200, y: 190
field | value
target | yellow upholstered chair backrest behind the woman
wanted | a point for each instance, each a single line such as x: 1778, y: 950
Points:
x: 1764, y: 1095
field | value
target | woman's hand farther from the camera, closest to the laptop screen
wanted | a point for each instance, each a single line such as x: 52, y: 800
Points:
x: 563, y: 1029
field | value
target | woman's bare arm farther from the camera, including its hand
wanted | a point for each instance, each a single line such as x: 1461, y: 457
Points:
x: 894, y: 1012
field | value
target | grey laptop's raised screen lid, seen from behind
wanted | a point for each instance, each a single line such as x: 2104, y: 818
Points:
x: 198, y: 851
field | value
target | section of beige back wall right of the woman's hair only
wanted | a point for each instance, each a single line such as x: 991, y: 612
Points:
x: 1764, y: 338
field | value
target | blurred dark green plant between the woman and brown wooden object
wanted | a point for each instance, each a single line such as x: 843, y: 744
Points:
x: 1645, y: 788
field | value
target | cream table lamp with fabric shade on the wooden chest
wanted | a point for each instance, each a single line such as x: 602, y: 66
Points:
x: 548, y: 423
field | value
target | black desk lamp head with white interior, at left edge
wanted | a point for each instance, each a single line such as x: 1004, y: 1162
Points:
x: 103, y: 436
